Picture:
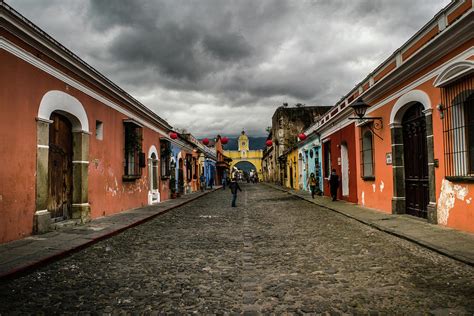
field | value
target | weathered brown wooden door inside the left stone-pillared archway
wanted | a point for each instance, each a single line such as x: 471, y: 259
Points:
x: 60, y: 168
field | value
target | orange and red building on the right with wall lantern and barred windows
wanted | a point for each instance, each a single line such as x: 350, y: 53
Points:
x: 411, y: 149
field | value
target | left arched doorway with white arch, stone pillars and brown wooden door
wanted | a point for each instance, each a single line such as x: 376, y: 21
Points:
x: 62, y: 161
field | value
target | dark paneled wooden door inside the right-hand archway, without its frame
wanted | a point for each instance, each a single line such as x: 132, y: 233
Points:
x: 416, y: 161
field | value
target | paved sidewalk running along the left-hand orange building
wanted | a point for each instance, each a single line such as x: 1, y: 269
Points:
x: 25, y: 254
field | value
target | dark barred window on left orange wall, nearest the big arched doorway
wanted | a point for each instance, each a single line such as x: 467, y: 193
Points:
x: 134, y: 159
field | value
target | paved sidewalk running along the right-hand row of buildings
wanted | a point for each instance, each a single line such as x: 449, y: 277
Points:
x: 455, y: 244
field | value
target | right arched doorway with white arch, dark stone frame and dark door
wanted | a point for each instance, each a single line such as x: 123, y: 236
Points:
x: 411, y: 126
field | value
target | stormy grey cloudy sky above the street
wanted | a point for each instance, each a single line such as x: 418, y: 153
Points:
x: 220, y: 66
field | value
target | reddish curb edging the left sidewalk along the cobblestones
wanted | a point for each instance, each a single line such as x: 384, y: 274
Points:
x: 27, y: 268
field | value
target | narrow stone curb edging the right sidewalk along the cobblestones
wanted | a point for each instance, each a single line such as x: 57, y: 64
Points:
x: 423, y: 243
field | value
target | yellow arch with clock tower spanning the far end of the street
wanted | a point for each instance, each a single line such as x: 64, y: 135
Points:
x: 244, y: 158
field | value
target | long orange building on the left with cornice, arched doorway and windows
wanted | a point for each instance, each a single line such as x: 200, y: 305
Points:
x: 74, y: 145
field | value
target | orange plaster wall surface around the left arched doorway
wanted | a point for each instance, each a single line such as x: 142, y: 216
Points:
x: 24, y: 86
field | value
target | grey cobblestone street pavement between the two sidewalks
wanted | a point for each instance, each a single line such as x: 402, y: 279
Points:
x: 274, y: 253
